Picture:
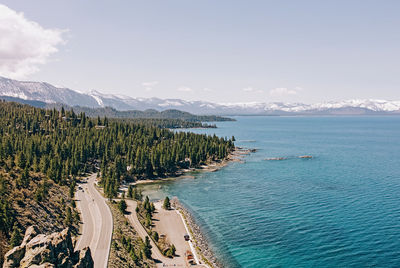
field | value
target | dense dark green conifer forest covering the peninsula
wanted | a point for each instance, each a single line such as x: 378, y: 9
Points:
x: 63, y: 144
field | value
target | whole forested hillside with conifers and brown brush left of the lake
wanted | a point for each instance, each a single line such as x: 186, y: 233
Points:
x: 42, y: 152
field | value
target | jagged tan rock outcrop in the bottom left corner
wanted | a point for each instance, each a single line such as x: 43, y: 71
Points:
x: 54, y: 250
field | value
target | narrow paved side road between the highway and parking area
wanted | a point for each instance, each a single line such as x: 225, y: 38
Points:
x: 160, y: 259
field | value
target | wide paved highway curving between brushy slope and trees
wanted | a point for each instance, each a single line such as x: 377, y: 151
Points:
x: 97, y: 222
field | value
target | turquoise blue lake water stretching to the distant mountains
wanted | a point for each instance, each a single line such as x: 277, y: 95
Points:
x: 339, y: 209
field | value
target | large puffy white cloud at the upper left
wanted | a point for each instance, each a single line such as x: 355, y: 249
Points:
x: 24, y: 44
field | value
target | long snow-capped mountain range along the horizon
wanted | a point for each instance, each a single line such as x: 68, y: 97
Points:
x: 44, y: 92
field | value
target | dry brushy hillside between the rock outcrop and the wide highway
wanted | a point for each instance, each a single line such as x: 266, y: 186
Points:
x: 28, y: 197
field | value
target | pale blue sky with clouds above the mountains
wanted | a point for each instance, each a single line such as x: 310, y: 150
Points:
x: 218, y: 51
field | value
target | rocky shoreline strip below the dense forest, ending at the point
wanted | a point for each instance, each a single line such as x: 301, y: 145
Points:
x: 235, y: 156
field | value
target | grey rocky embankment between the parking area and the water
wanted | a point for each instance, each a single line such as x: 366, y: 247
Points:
x: 199, y: 240
